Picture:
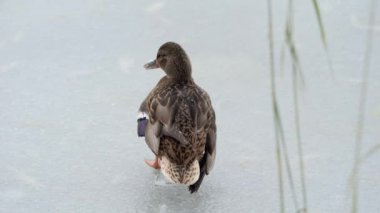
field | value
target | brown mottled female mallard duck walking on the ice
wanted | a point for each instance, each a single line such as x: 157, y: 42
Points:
x: 179, y: 120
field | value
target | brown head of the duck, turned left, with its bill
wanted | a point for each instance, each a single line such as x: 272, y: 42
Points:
x: 173, y: 60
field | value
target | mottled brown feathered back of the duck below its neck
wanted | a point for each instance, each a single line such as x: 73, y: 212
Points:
x: 187, y: 108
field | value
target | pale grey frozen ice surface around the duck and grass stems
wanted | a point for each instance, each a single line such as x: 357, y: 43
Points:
x: 71, y: 80
